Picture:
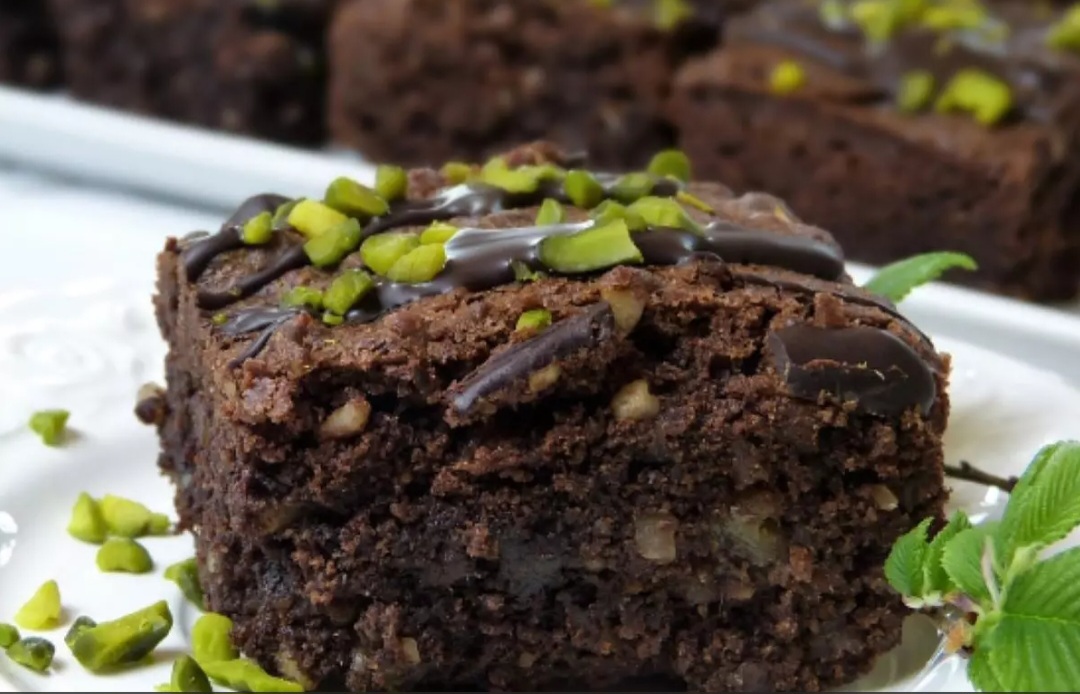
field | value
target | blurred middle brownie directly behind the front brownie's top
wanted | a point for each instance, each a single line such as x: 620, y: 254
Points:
x: 435, y: 81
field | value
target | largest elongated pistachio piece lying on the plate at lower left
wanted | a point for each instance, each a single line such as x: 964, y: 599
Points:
x: 125, y: 641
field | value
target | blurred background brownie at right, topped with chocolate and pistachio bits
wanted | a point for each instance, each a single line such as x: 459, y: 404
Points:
x: 860, y: 141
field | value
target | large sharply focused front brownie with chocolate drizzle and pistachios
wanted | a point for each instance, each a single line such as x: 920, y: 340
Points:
x: 565, y: 456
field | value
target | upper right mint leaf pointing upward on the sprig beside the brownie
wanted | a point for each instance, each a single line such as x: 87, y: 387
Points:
x: 1045, y: 507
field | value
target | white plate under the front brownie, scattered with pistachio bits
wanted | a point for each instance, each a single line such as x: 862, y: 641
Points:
x: 89, y: 347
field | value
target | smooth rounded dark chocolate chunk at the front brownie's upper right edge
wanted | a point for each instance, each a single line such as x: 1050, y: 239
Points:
x: 873, y: 368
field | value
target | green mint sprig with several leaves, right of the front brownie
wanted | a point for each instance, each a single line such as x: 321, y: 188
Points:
x: 1019, y: 613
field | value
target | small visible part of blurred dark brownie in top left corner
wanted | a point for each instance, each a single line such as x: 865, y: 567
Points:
x: 29, y: 46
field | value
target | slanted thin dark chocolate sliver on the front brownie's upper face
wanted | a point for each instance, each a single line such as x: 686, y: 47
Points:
x: 587, y: 330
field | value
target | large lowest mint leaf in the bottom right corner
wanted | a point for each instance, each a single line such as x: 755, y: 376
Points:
x: 1036, y: 643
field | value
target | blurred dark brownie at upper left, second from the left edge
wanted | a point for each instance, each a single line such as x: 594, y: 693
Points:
x: 242, y: 66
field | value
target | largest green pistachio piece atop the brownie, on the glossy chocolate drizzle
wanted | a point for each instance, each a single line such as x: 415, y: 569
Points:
x: 591, y: 250
